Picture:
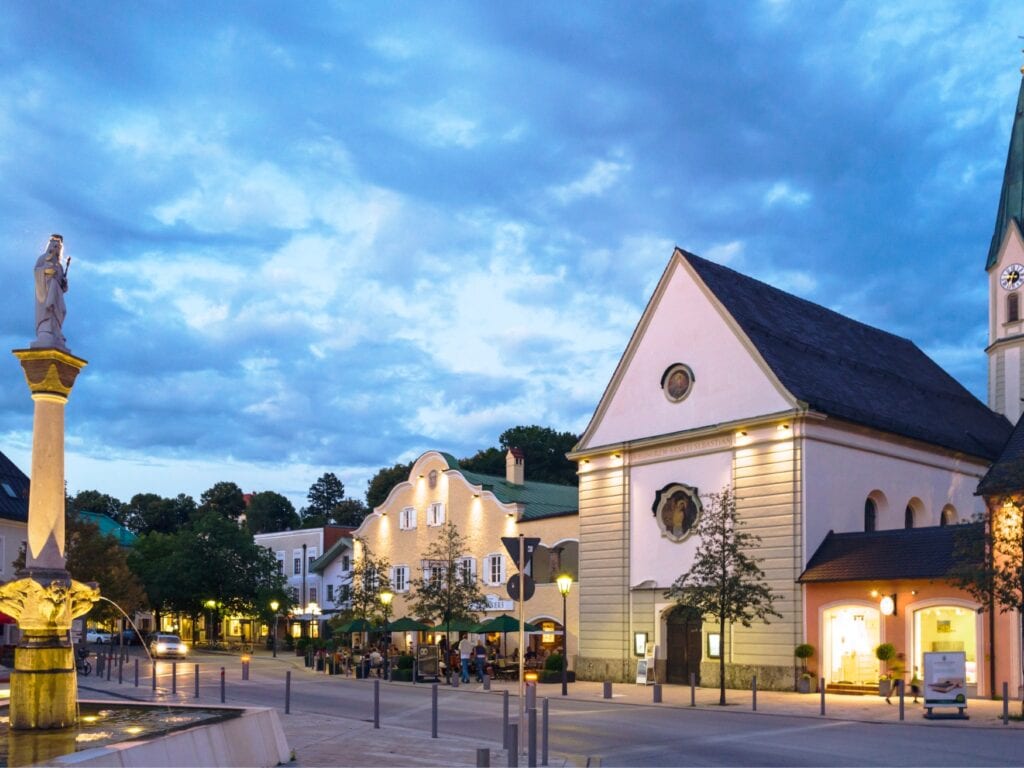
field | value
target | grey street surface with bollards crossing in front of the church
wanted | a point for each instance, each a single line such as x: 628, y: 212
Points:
x: 625, y: 732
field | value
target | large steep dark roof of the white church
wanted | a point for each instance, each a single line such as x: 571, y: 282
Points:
x: 846, y: 369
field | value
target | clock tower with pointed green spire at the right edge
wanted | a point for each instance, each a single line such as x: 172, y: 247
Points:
x: 1006, y: 283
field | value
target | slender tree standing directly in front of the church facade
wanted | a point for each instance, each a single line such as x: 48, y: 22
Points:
x: 724, y: 582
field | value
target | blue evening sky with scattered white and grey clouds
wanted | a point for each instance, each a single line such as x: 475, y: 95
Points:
x: 328, y: 237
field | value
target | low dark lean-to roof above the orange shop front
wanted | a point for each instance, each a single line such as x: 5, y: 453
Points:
x: 888, y: 556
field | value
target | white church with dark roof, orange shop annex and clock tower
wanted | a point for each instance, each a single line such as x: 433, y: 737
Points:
x: 852, y: 455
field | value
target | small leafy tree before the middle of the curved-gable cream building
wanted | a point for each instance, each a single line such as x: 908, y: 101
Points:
x: 448, y: 588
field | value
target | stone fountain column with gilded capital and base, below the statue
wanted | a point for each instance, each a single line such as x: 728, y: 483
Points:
x: 45, y: 600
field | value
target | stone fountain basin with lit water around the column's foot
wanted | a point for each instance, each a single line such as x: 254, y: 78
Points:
x: 113, y: 735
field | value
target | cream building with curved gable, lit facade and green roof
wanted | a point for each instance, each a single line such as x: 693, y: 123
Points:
x: 485, y: 509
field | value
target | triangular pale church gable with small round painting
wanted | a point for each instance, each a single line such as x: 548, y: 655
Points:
x: 687, y: 367
